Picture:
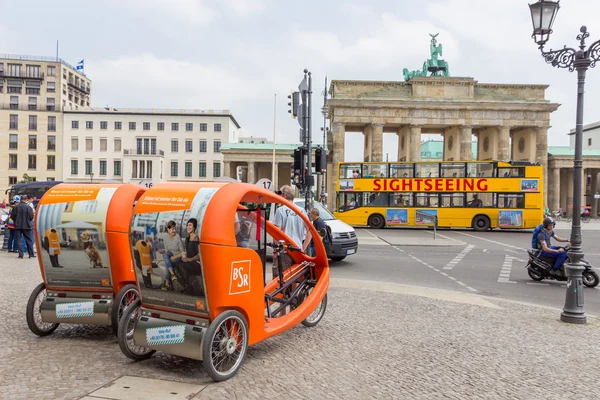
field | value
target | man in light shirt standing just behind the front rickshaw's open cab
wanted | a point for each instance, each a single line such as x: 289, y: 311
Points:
x: 293, y: 226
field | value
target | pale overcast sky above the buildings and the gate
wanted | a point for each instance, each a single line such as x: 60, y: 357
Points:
x: 237, y: 54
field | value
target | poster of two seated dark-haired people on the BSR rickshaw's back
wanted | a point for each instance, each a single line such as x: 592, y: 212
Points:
x: 167, y: 273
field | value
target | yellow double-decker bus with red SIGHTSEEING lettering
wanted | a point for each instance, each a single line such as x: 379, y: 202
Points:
x: 477, y: 194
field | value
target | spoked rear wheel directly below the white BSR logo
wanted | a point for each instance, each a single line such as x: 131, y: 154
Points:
x: 225, y: 345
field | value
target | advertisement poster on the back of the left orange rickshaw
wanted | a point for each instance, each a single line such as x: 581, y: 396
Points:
x: 72, y: 237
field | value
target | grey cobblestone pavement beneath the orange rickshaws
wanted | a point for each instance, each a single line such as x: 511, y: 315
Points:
x: 370, y: 344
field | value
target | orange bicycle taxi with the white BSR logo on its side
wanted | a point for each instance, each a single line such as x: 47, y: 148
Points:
x: 215, y: 301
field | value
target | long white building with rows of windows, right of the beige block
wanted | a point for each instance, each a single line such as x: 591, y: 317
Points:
x: 137, y: 145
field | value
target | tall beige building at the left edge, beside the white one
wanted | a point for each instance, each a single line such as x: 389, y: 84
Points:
x: 33, y: 92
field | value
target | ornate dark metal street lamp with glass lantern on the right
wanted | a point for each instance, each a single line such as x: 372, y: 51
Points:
x: 543, y: 14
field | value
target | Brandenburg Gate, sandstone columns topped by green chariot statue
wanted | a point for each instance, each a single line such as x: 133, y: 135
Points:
x: 509, y: 121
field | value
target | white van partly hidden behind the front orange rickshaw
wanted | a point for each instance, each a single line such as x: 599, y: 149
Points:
x: 344, y: 241
